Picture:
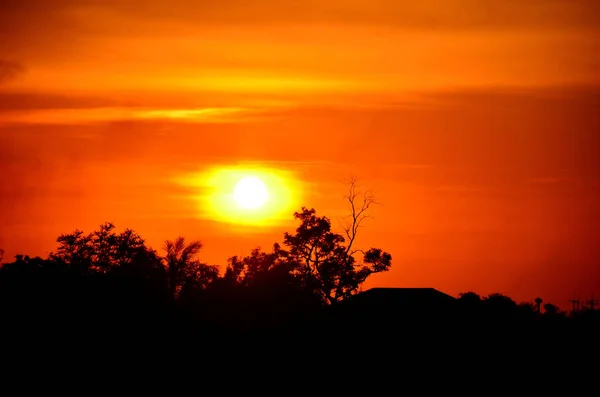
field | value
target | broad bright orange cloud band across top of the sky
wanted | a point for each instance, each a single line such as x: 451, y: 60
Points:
x: 304, y: 48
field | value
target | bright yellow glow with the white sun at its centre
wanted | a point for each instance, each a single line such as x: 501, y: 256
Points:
x: 252, y: 196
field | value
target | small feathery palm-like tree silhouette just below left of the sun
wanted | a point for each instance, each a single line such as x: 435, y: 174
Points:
x: 184, y: 269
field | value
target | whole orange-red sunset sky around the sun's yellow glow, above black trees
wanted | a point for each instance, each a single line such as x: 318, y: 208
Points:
x: 476, y: 122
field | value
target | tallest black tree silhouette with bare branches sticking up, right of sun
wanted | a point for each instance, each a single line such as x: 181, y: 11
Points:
x: 315, y: 258
